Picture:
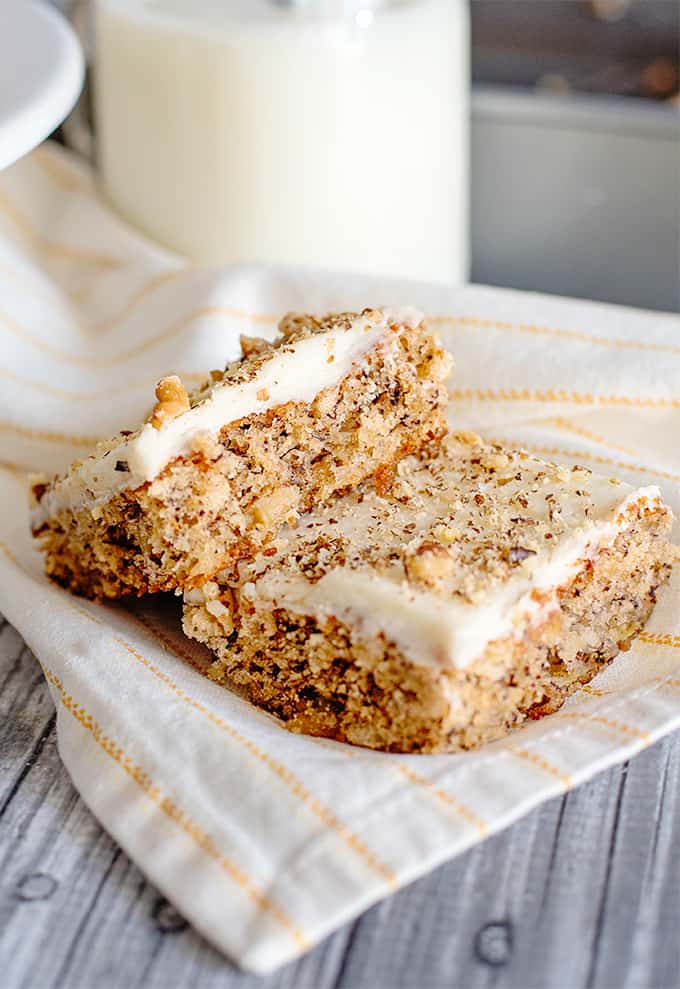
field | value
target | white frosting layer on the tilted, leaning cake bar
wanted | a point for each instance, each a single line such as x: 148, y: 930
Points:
x: 295, y: 372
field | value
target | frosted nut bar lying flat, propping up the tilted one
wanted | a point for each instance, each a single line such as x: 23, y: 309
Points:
x: 479, y: 590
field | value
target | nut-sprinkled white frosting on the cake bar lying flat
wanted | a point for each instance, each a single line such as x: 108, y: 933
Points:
x: 507, y: 554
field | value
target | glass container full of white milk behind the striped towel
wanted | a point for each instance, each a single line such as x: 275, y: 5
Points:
x: 322, y: 133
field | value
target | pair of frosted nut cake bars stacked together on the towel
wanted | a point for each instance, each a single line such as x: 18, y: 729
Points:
x: 362, y: 575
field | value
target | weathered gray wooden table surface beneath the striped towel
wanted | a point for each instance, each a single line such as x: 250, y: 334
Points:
x: 584, y: 892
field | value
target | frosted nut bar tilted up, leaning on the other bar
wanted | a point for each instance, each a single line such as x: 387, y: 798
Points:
x: 211, y: 476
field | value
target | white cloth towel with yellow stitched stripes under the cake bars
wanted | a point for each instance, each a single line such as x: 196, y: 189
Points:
x: 266, y: 841
